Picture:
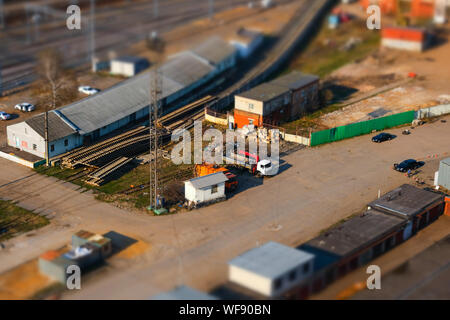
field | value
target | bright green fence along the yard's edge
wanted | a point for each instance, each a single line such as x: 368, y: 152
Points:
x: 359, y: 128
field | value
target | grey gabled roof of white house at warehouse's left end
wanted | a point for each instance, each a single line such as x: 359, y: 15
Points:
x: 58, y: 128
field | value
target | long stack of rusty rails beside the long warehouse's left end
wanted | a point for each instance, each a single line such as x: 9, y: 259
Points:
x: 129, y: 143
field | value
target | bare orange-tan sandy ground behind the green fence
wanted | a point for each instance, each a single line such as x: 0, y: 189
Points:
x: 431, y: 87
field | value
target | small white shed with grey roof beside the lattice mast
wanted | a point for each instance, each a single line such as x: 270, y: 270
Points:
x: 206, y: 188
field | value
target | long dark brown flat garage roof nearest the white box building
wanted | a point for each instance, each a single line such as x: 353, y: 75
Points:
x: 357, y: 233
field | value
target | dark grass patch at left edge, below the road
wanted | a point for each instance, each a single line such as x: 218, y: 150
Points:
x: 15, y: 220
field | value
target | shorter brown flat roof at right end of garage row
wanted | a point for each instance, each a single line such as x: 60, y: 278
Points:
x: 406, y: 201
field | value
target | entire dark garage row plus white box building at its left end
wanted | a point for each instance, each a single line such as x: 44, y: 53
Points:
x: 389, y: 221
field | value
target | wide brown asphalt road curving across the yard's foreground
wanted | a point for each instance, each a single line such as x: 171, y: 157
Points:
x: 317, y: 188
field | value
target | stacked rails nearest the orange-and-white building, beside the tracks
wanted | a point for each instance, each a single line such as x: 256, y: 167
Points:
x: 183, y: 116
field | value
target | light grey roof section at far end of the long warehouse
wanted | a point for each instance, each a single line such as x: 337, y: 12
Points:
x: 215, y: 50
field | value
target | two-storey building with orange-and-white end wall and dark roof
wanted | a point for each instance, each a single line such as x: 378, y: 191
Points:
x: 283, y: 99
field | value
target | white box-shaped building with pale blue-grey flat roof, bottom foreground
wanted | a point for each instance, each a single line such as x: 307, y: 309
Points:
x: 271, y: 269
